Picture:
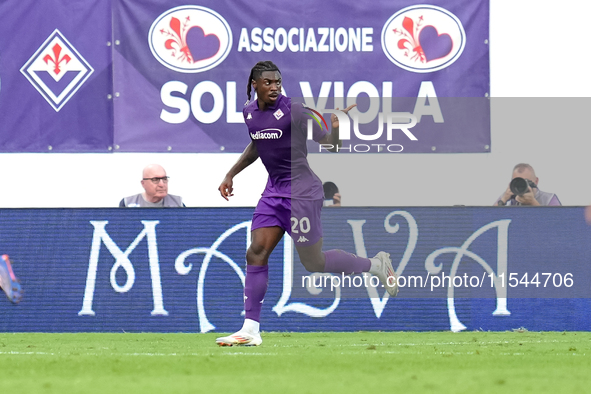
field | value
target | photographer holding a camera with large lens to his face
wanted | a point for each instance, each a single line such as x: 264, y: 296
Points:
x: 533, y: 196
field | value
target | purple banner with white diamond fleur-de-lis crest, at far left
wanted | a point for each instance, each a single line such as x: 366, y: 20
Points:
x: 55, y: 76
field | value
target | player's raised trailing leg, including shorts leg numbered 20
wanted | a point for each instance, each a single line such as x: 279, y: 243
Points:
x: 306, y: 214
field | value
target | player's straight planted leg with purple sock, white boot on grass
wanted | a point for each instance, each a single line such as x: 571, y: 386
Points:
x: 264, y: 241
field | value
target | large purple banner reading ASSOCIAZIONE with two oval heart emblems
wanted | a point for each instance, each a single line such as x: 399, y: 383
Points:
x: 184, y: 86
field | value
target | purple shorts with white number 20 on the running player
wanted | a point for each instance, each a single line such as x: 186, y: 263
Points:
x: 300, y: 218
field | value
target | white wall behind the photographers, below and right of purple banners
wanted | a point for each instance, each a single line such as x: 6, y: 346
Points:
x: 539, y: 48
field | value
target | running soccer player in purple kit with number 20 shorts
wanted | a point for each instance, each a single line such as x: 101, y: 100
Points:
x: 292, y: 199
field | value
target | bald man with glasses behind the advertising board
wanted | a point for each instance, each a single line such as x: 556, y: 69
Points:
x: 155, y: 184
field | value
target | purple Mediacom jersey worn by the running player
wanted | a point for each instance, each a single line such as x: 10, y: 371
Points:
x: 279, y: 134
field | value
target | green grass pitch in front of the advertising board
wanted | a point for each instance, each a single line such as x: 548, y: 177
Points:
x: 359, y: 362
